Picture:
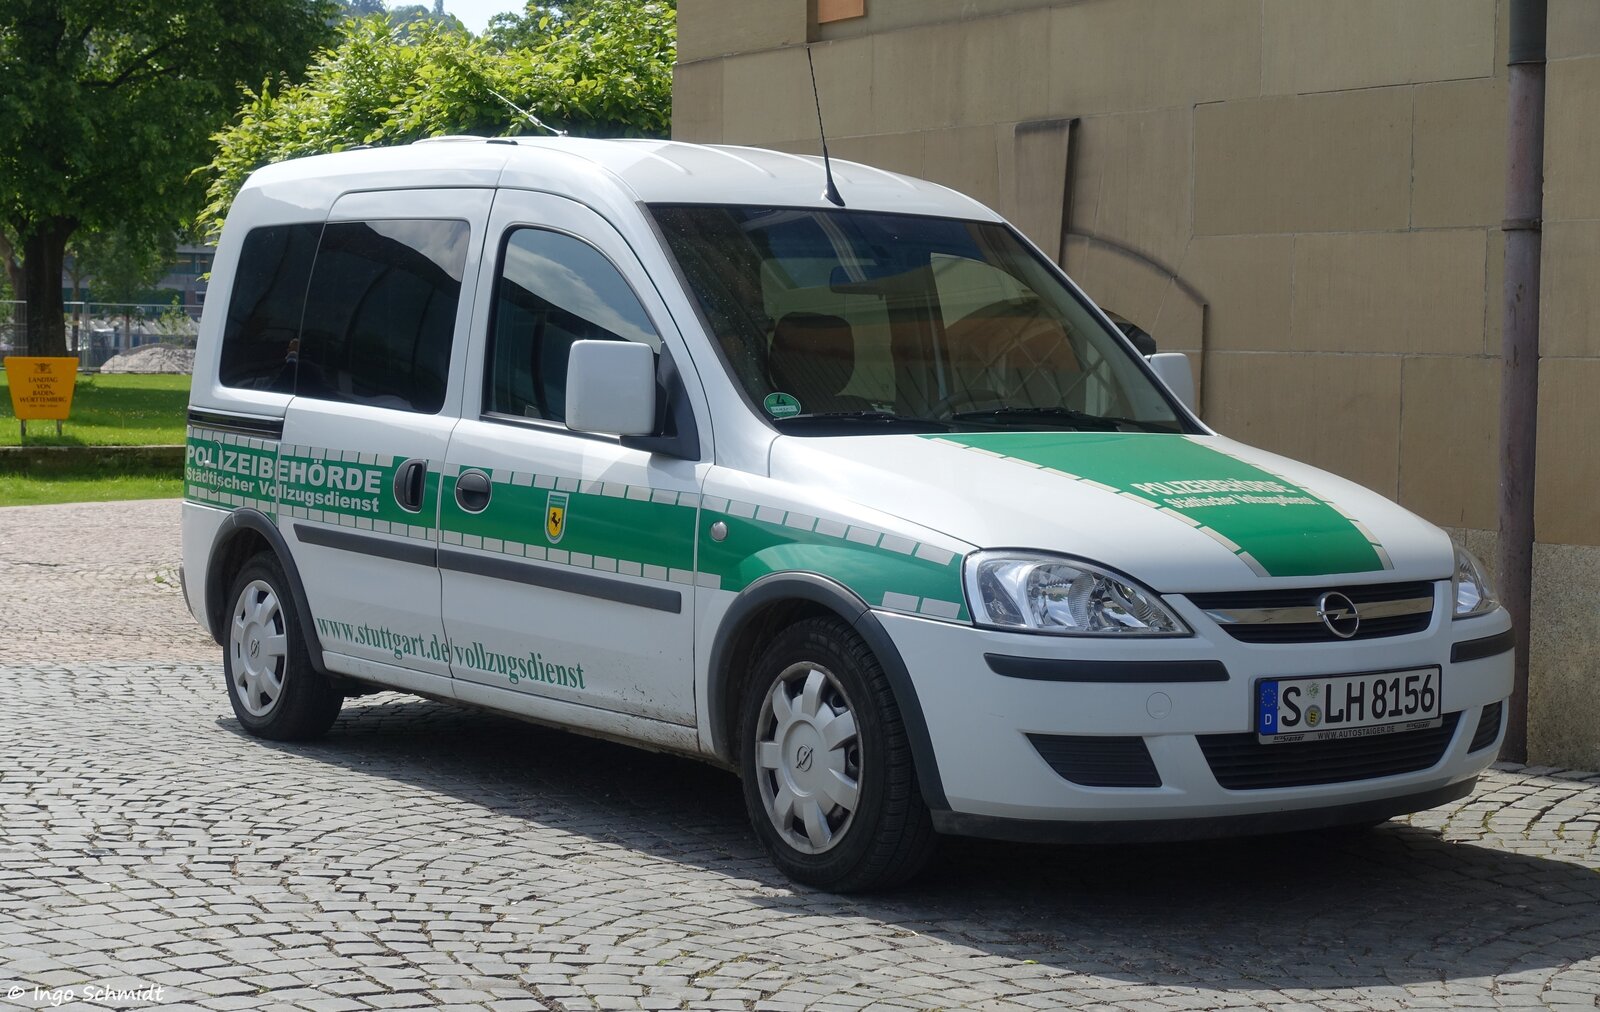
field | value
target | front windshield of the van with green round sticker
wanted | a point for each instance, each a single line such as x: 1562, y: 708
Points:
x: 854, y: 321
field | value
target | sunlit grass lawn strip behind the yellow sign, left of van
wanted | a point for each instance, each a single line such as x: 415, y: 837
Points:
x: 116, y: 411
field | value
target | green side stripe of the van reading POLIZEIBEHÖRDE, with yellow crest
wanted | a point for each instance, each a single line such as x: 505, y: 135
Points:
x: 606, y: 528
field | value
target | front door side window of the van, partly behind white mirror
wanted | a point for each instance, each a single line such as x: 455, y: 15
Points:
x: 553, y: 291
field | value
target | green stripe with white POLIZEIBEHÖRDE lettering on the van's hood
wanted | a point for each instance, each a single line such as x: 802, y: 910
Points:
x: 1274, y: 526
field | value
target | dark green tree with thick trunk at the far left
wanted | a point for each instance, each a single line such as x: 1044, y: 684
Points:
x: 106, y: 106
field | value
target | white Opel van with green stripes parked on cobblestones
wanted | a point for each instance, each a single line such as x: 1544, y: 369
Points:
x: 655, y: 443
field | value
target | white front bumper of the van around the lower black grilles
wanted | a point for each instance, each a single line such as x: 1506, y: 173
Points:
x: 999, y: 784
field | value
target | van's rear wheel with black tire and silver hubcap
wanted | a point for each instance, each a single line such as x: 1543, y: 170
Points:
x: 290, y: 699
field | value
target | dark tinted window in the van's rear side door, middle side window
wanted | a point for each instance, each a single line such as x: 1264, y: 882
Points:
x: 382, y: 313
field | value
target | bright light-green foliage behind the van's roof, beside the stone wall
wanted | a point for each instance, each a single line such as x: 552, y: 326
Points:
x: 601, y: 70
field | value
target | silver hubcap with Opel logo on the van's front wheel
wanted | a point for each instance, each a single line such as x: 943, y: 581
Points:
x: 809, y: 758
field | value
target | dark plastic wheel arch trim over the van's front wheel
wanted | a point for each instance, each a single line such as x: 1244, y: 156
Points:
x: 782, y: 600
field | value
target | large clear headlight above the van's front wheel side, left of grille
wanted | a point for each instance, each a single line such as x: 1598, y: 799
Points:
x: 1070, y: 598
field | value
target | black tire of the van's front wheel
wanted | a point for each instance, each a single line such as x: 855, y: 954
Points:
x: 889, y: 837
